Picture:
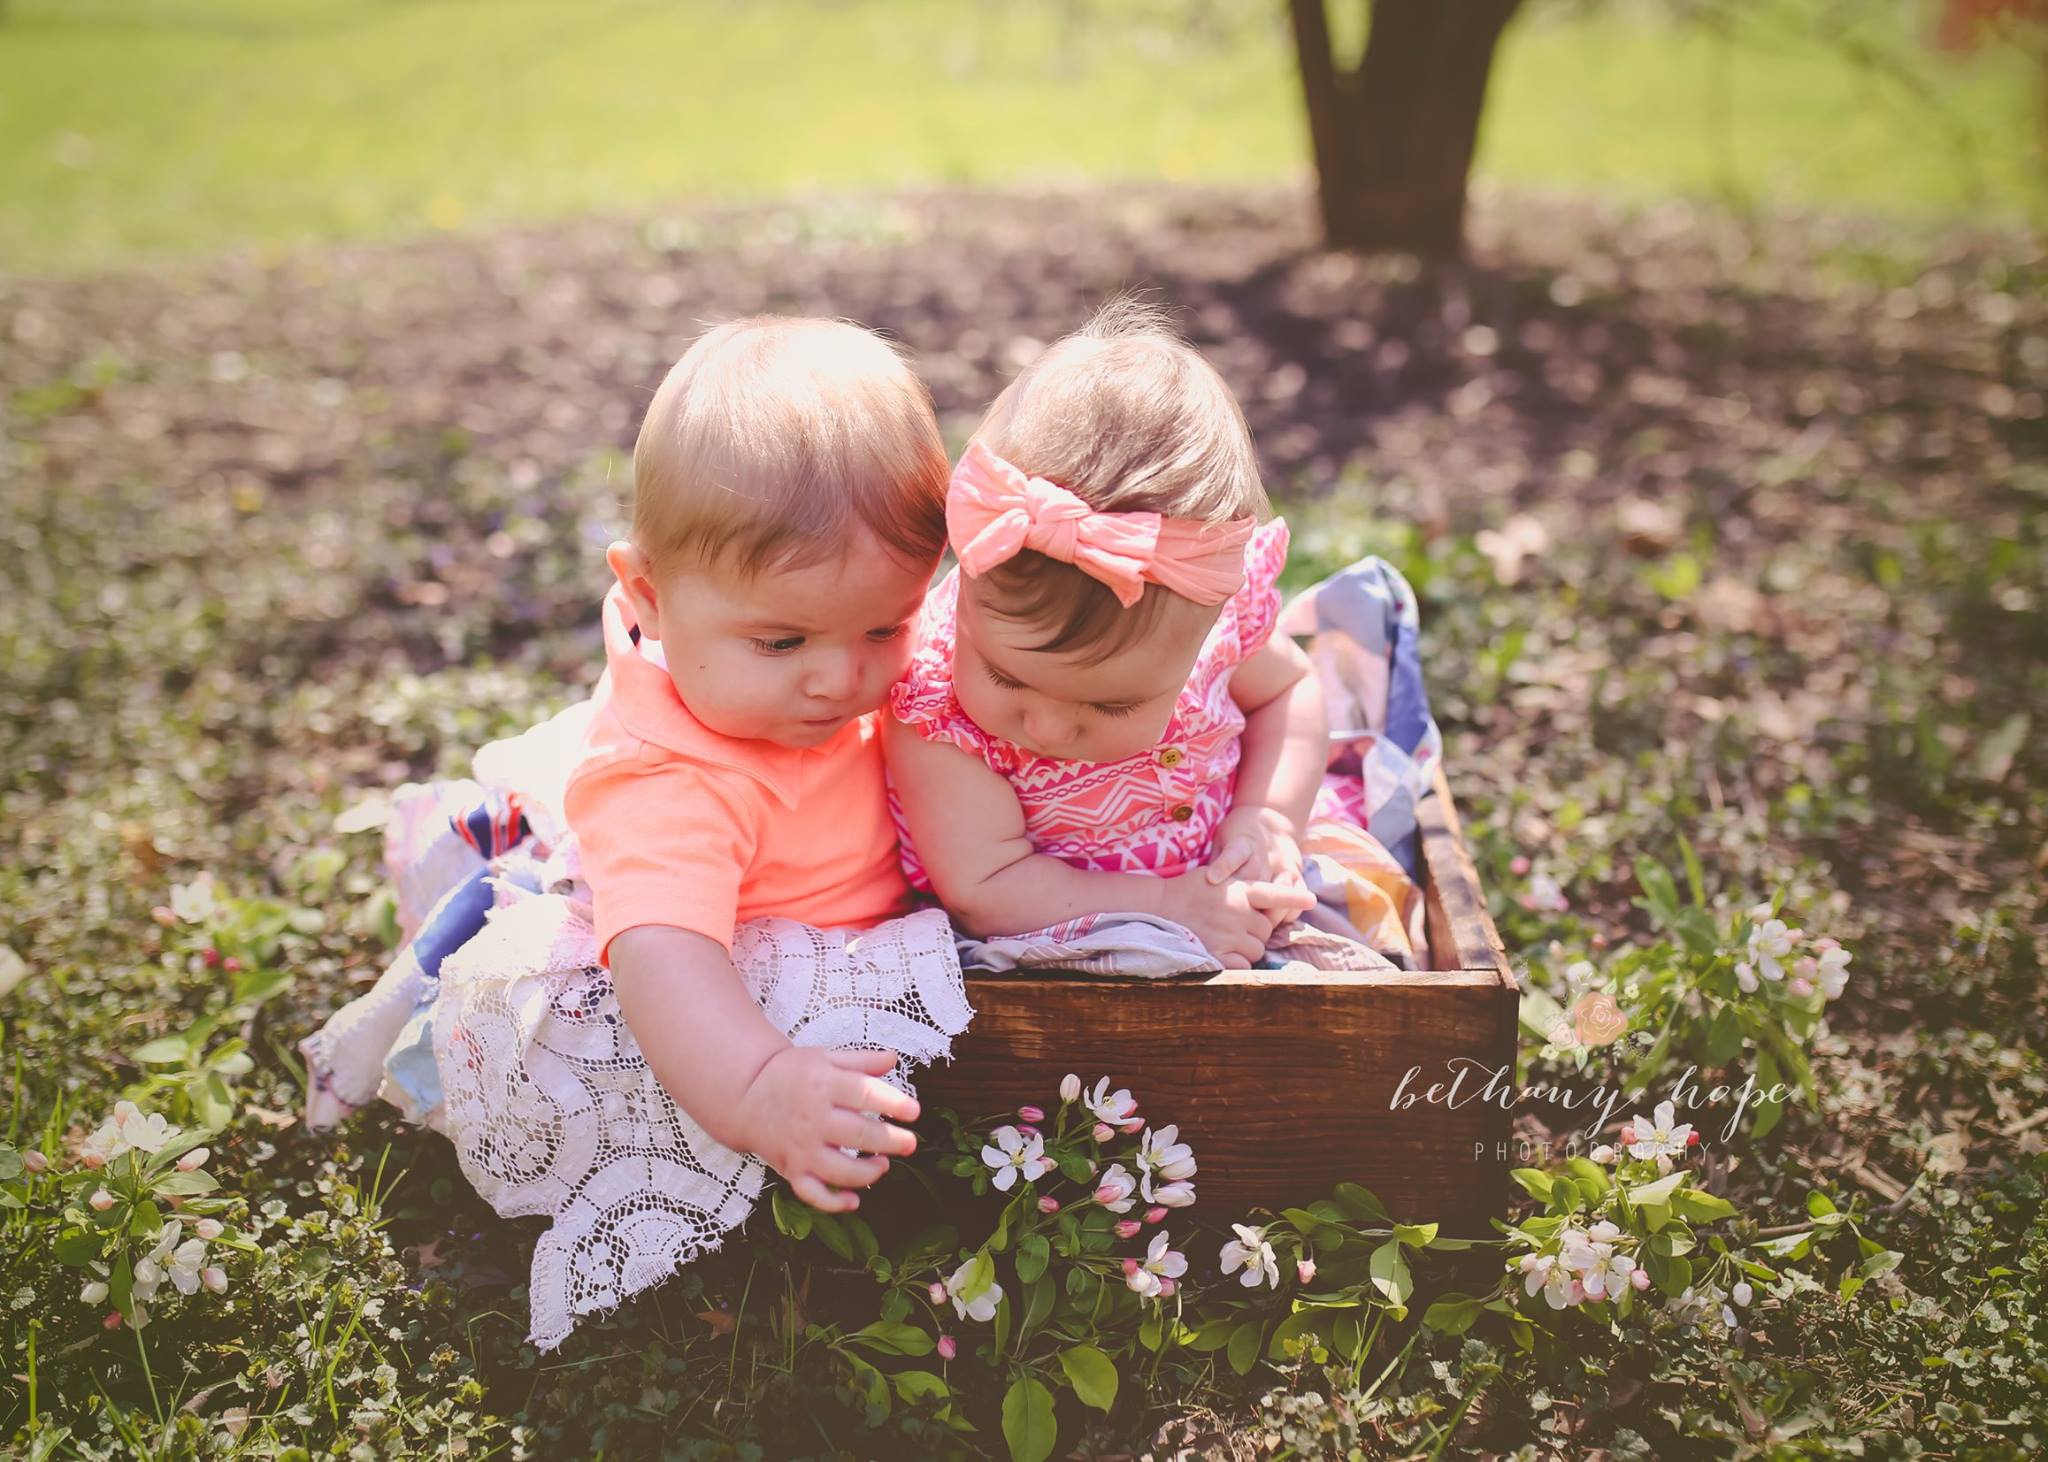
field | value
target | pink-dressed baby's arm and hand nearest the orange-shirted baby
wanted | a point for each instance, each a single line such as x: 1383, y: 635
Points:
x: 970, y: 832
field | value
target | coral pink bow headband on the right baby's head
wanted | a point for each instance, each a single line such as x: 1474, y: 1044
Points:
x: 996, y: 511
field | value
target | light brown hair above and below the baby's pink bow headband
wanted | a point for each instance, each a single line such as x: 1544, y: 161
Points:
x: 1132, y: 419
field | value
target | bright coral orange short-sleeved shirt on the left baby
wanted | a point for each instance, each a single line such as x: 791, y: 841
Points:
x: 695, y: 830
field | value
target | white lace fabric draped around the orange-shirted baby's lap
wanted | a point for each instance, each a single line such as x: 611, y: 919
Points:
x: 554, y: 1111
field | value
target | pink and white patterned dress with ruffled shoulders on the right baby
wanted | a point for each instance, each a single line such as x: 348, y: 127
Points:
x: 1156, y: 812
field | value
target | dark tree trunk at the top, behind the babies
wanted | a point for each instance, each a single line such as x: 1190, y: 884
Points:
x: 1394, y: 136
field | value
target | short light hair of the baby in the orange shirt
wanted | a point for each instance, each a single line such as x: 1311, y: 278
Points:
x: 773, y: 439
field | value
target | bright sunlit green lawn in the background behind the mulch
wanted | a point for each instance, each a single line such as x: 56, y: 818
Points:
x: 138, y: 130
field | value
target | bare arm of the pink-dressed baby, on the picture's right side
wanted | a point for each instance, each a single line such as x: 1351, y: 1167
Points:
x: 1285, y: 750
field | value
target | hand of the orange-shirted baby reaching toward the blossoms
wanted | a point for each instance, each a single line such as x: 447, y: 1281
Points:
x: 808, y: 1105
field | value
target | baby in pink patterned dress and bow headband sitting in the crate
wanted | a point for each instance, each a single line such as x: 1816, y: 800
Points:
x: 1099, y: 716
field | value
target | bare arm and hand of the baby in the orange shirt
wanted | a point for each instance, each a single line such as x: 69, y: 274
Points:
x: 710, y: 1045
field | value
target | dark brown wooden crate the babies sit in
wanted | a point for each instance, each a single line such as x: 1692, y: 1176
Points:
x: 1283, y: 1082
